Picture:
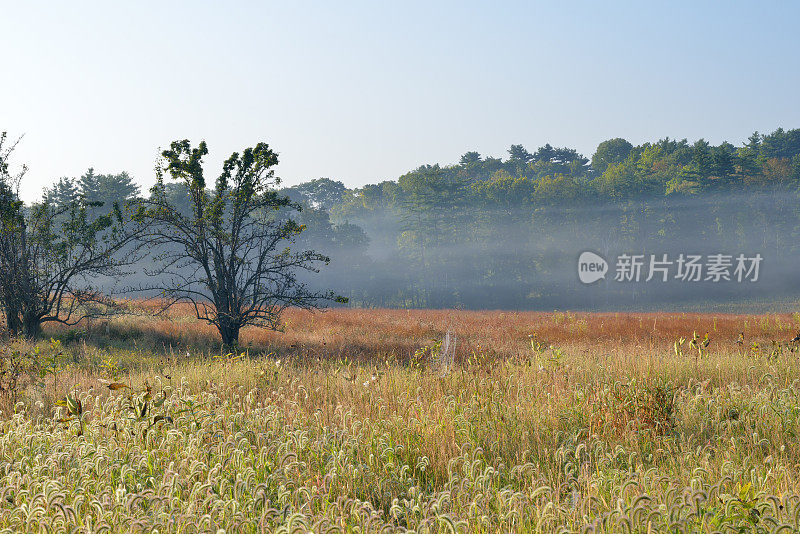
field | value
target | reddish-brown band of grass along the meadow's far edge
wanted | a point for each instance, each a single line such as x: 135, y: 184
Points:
x: 370, y: 333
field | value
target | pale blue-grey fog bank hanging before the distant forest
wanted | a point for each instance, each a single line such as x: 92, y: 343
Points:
x: 528, y: 259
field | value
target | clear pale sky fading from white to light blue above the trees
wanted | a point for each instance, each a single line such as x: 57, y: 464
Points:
x: 364, y: 91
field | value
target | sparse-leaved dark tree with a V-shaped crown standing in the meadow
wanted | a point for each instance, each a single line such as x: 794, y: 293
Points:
x: 227, y: 252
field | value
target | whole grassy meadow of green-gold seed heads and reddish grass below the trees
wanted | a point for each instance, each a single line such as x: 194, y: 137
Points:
x: 351, y: 421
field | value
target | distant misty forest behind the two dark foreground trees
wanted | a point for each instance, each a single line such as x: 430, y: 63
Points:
x: 505, y: 233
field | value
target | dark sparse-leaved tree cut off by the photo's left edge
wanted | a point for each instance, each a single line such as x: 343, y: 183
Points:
x: 50, y: 256
